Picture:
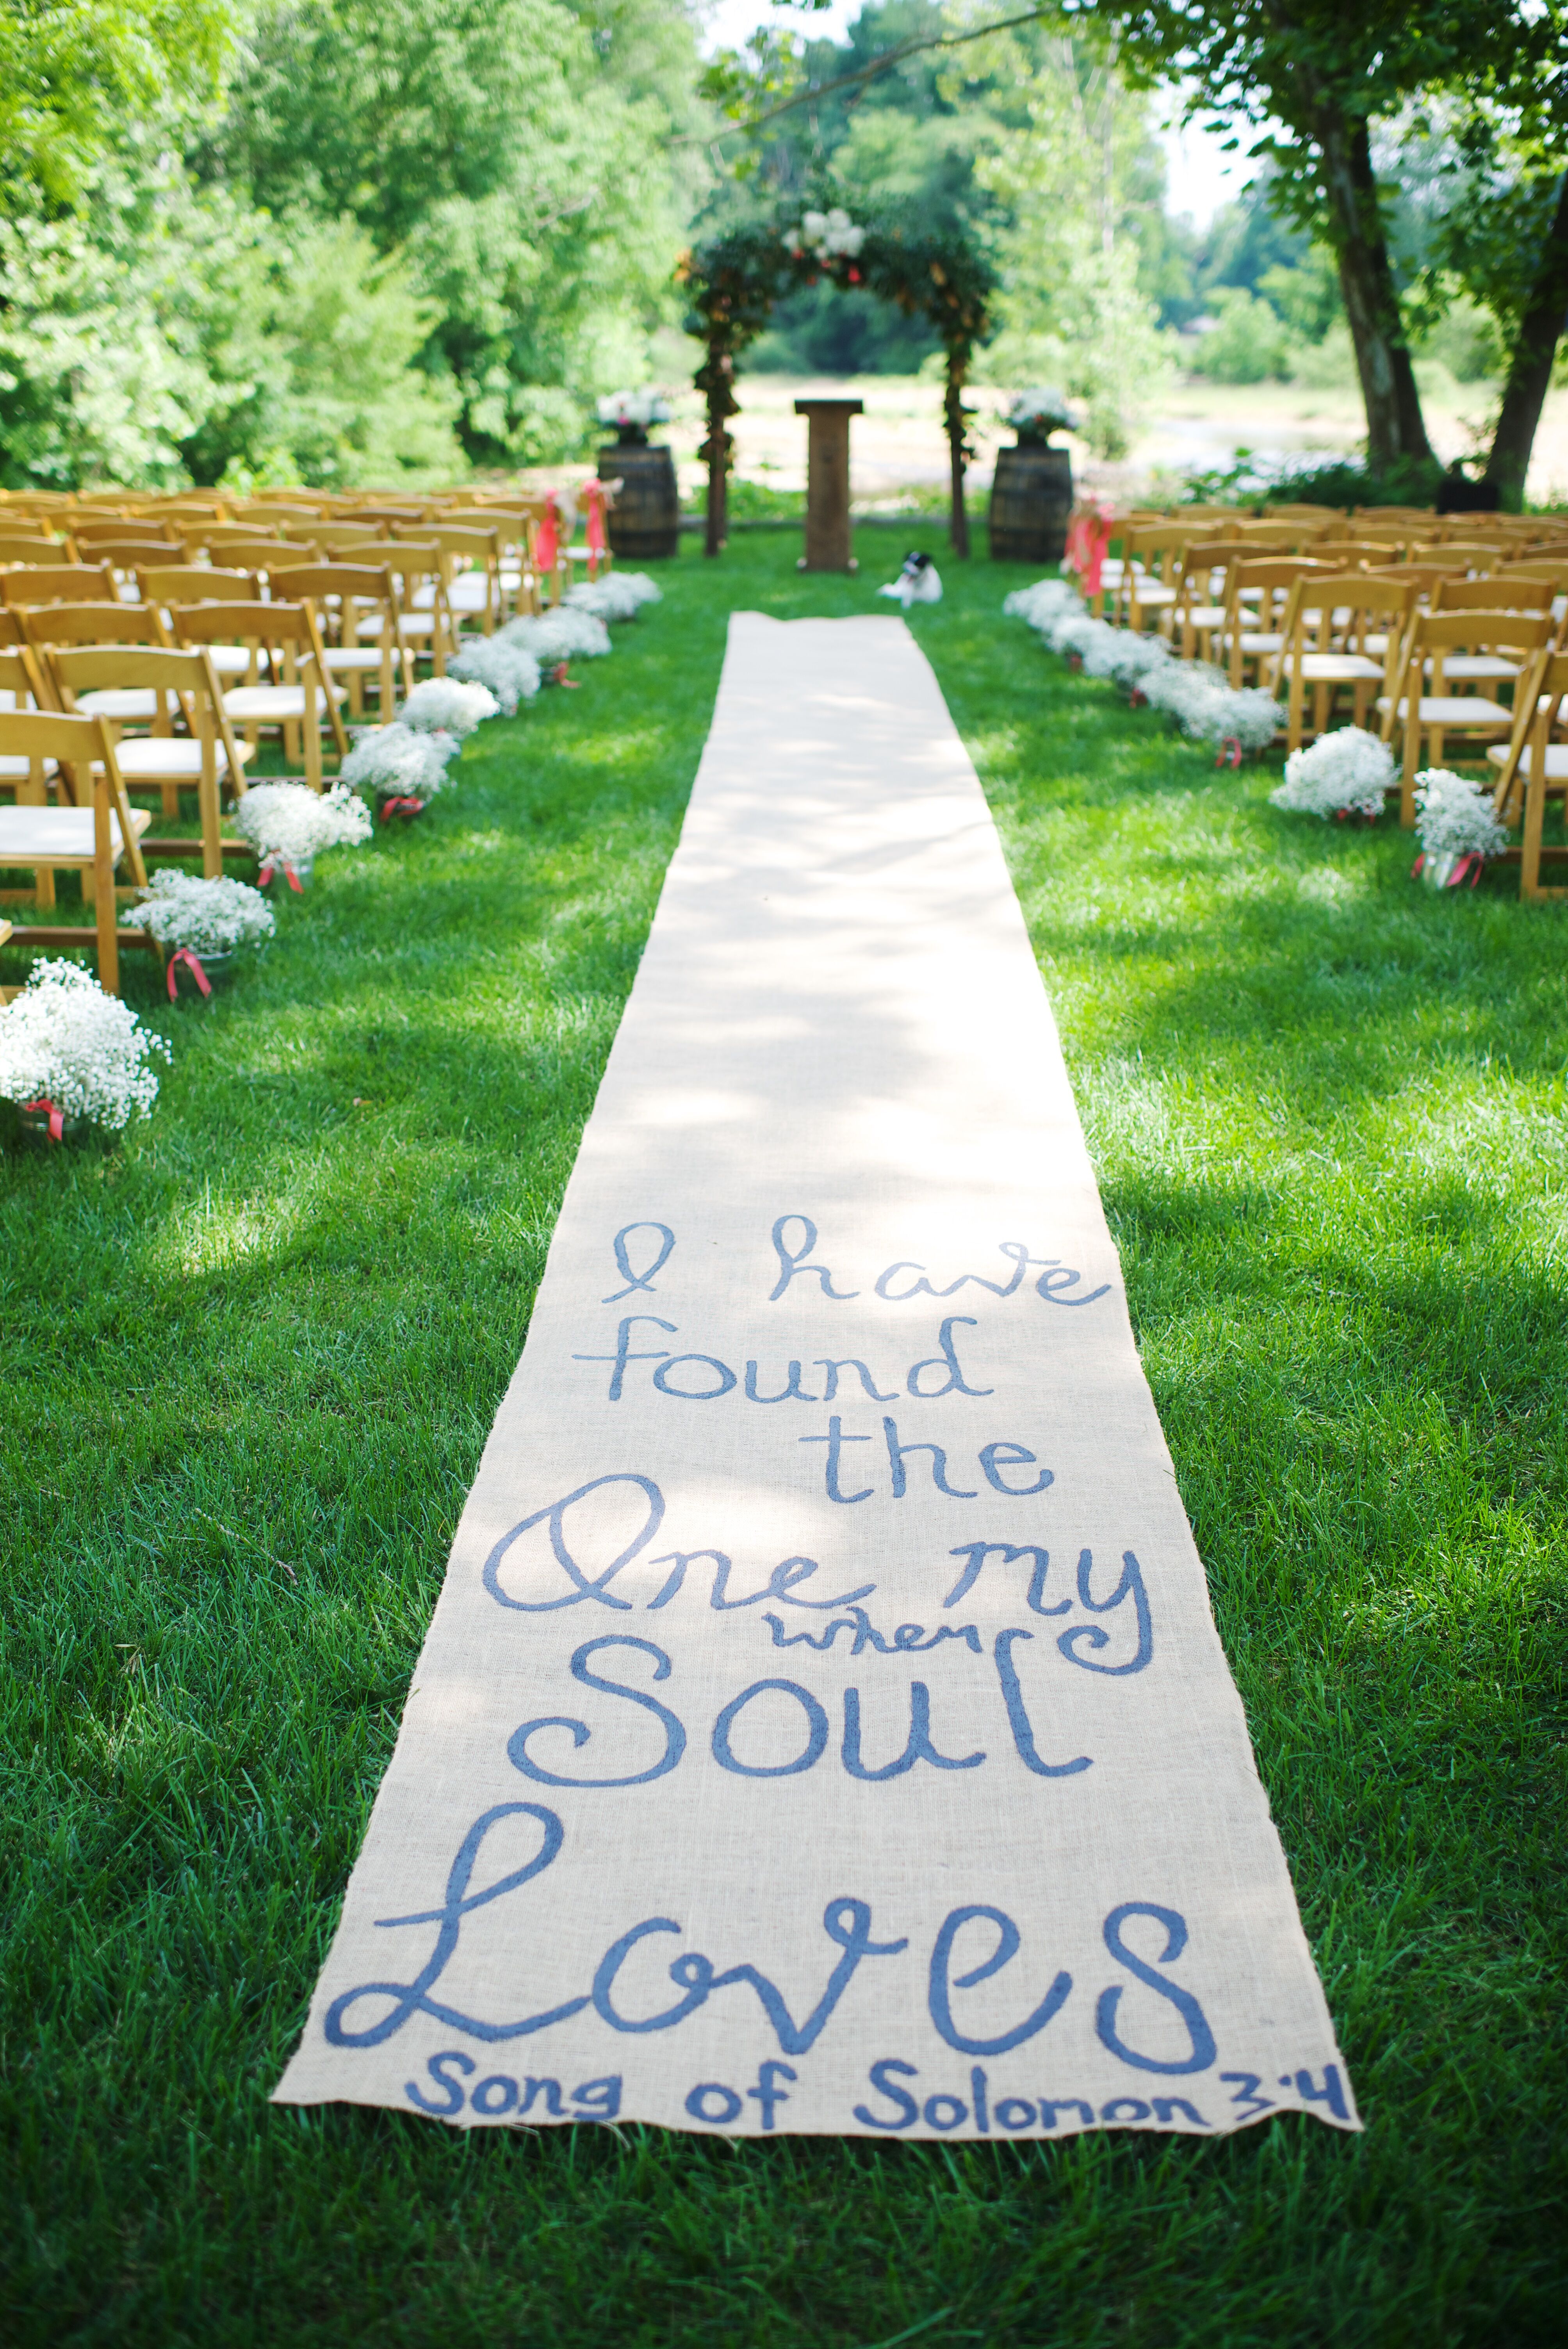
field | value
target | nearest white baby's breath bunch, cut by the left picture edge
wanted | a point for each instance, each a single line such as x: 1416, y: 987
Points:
x: 76, y: 1054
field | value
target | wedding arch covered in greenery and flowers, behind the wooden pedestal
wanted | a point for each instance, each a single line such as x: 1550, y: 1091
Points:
x: 736, y: 281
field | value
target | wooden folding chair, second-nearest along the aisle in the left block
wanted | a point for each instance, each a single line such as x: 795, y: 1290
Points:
x: 203, y: 760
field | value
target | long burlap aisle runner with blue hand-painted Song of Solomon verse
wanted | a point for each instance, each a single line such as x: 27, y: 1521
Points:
x: 823, y: 1725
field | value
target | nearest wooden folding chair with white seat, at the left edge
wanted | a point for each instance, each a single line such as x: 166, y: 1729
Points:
x: 90, y: 833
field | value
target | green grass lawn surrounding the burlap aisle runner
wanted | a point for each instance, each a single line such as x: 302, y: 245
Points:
x: 250, y: 1359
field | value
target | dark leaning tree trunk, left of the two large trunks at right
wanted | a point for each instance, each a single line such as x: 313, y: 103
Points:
x: 1367, y: 281
